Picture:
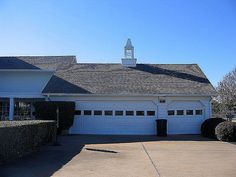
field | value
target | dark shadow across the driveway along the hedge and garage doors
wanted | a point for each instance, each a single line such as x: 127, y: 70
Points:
x: 51, y: 158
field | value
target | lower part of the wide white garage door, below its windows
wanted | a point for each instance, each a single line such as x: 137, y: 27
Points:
x: 113, y: 125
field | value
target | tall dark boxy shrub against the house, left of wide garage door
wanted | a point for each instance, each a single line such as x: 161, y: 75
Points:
x: 46, y: 110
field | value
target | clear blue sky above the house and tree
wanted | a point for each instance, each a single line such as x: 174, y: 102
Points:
x: 162, y: 31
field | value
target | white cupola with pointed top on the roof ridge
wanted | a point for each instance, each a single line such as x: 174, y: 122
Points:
x: 129, y: 60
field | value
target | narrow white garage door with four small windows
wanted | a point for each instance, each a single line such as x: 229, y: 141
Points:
x: 185, y: 117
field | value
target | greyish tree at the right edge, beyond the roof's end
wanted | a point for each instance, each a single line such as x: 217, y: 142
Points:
x: 227, y: 92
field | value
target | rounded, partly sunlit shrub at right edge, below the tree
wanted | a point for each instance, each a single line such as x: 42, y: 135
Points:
x: 226, y: 131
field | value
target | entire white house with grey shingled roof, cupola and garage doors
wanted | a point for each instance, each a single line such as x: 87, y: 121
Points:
x: 122, y: 98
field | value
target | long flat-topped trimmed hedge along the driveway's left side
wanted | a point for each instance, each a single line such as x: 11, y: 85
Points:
x: 19, y: 138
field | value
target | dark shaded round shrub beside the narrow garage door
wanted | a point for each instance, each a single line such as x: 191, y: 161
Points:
x: 209, y: 125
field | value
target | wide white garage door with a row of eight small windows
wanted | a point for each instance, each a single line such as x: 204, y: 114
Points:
x: 115, y: 117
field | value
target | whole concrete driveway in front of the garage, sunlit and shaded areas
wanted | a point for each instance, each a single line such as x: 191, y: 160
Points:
x: 129, y: 156
